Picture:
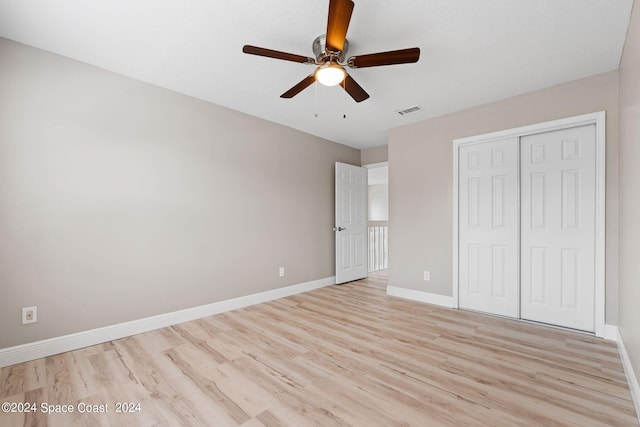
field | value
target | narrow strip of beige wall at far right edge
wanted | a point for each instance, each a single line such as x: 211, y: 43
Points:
x: 630, y: 191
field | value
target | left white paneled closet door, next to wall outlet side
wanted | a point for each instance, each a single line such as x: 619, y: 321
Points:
x: 488, y: 227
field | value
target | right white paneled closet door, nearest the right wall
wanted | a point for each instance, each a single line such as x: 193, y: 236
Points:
x: 558, y: 227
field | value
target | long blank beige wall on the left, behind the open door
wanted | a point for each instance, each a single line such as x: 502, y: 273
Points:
x: 120, y: 200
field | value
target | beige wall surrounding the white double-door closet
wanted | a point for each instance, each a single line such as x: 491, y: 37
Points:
x: 420, y: 178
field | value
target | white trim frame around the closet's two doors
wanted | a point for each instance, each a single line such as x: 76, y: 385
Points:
x: 599, y: 119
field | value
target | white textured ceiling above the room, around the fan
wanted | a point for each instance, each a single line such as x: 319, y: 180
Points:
x: 472, y: 52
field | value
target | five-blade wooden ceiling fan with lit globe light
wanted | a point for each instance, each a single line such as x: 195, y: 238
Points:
x: 330, y: 50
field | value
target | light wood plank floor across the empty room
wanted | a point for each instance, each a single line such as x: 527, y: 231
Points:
x: 341, y: 355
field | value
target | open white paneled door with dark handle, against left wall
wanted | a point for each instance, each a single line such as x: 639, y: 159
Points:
x: 351, y: 223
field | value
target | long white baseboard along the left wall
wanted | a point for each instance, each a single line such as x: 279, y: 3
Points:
x: 51, y: 346
